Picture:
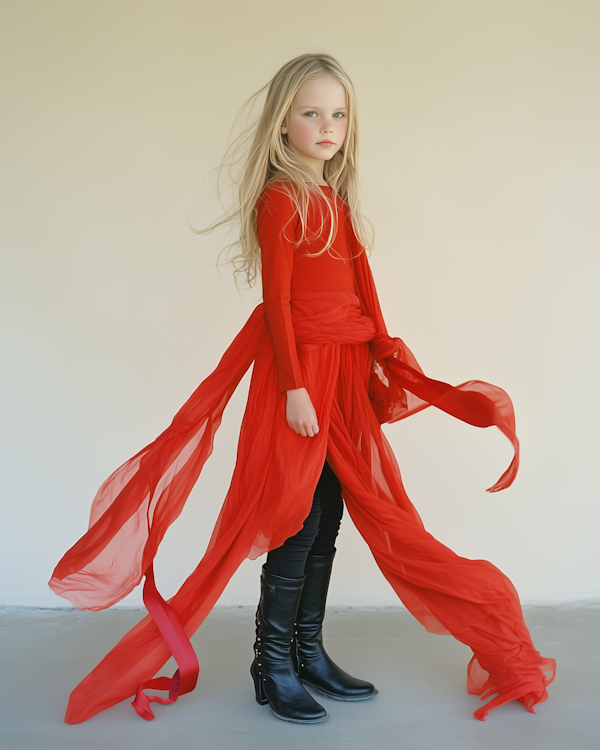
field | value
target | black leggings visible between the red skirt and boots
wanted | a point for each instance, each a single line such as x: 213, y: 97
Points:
x: 317, y: 536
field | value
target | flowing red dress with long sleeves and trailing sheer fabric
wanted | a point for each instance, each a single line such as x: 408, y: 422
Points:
x: 320, y: 326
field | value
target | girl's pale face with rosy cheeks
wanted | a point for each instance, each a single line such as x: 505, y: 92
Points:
x: 317, y: 121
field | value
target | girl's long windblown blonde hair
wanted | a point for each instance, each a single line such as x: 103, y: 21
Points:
x: 266, y: 156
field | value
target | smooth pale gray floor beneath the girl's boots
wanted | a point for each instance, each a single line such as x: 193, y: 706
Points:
x: 422, y: 702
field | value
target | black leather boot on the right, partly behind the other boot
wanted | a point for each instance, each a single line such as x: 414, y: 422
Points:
x: 312, y: 663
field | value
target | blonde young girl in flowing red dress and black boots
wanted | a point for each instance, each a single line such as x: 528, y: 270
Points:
x: 325, y: 375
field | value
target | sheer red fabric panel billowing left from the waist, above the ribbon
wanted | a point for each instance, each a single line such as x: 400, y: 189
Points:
x: 135, y: 506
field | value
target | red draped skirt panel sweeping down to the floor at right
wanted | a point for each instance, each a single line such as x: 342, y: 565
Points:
x: 470, y: 599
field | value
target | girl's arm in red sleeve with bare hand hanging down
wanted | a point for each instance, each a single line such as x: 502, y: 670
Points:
x: 276, y: 226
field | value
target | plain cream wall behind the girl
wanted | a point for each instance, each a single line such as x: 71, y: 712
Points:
x: 480, y: 169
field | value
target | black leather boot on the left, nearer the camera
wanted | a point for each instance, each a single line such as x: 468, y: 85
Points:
x: 275, y: 680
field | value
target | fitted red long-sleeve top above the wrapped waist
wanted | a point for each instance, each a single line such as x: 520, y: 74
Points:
x: 287, y: 271
